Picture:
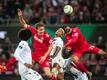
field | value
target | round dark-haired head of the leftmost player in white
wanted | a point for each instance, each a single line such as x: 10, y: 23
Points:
x: 24, y: 34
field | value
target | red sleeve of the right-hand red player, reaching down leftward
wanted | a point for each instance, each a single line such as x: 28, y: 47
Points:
x: 73, y: 39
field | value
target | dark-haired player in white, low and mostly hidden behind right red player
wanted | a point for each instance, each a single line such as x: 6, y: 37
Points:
x: 72, y: 67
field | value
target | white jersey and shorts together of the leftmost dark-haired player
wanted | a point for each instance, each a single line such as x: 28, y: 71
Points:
x: 23, y: 55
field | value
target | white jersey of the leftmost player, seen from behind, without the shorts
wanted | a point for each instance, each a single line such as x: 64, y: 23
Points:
x: 23, y: 55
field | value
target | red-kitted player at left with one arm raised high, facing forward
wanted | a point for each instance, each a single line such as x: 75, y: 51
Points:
x: 41, y: 45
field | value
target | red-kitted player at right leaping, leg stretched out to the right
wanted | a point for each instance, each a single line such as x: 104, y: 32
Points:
x: 80, y: 46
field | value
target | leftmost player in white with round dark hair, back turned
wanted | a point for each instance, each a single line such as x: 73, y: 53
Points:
x: 24, y: 57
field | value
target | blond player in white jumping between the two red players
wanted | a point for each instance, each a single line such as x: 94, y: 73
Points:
x: 57, y: 60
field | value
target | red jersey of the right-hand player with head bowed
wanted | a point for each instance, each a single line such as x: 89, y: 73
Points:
x: 76, y: 40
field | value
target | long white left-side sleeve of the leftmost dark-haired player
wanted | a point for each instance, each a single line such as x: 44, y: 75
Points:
x: 18, y: 52
